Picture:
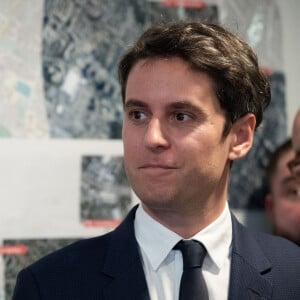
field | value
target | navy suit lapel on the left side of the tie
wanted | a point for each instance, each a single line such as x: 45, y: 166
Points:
x: 123, y: 265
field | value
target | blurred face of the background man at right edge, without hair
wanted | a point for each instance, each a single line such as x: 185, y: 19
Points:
x: 285, y: 201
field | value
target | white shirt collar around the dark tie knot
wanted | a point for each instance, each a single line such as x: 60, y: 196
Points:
x: 156, y: 241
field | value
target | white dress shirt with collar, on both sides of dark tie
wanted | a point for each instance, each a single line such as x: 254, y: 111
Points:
x: 163, y: 266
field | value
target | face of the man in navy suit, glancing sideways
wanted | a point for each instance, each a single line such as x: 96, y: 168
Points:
x: 175, y: 156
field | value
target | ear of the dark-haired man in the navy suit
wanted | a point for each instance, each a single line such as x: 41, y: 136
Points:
x: 242, y: 133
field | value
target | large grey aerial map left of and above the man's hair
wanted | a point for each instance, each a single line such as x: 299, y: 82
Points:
x: 82, y: 44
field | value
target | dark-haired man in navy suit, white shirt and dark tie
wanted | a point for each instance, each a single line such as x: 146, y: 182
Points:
x: 193, y: 95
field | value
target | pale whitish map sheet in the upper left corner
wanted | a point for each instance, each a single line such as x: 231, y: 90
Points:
x: 22, y: 112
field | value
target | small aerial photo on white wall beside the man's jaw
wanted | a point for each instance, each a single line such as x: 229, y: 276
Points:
x: 105, y: 196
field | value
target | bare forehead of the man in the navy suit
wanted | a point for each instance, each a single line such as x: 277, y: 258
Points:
x: 159, y: 82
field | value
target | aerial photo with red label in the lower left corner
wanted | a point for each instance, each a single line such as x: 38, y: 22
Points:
x: 17, y: 254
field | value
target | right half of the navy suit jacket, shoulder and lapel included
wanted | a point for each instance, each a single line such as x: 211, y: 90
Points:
x: 270, y: 265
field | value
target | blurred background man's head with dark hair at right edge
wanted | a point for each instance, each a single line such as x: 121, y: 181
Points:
x: 282, y: 201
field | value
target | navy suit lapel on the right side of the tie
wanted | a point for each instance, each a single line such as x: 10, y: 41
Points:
x: 248, y: 267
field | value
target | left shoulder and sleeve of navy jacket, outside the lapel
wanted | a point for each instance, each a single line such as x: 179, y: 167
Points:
x: 65, y: 273
